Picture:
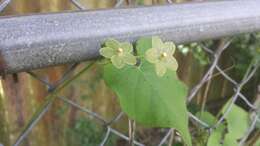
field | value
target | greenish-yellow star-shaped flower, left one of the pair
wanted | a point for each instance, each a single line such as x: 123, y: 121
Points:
x: 119, y: 53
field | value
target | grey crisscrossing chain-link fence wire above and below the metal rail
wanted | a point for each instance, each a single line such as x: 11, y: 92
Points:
x: 69, y: 75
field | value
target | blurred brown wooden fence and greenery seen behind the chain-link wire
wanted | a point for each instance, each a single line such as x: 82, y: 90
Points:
x: 21, y: 94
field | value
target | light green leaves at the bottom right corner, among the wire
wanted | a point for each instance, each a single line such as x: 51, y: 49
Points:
x: 233, y: 128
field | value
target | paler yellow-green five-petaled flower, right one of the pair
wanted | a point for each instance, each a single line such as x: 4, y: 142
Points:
x: 161, y: 54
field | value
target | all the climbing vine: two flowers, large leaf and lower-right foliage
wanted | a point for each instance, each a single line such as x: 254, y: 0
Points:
x: 143, y: 76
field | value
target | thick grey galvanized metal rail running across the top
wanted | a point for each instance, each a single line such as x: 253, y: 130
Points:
x: 37, y: 41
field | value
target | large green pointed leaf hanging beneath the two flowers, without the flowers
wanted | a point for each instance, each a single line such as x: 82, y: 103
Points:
x: 150, y: 100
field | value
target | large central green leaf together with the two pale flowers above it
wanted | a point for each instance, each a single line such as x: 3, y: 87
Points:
x: 145, y: 81
